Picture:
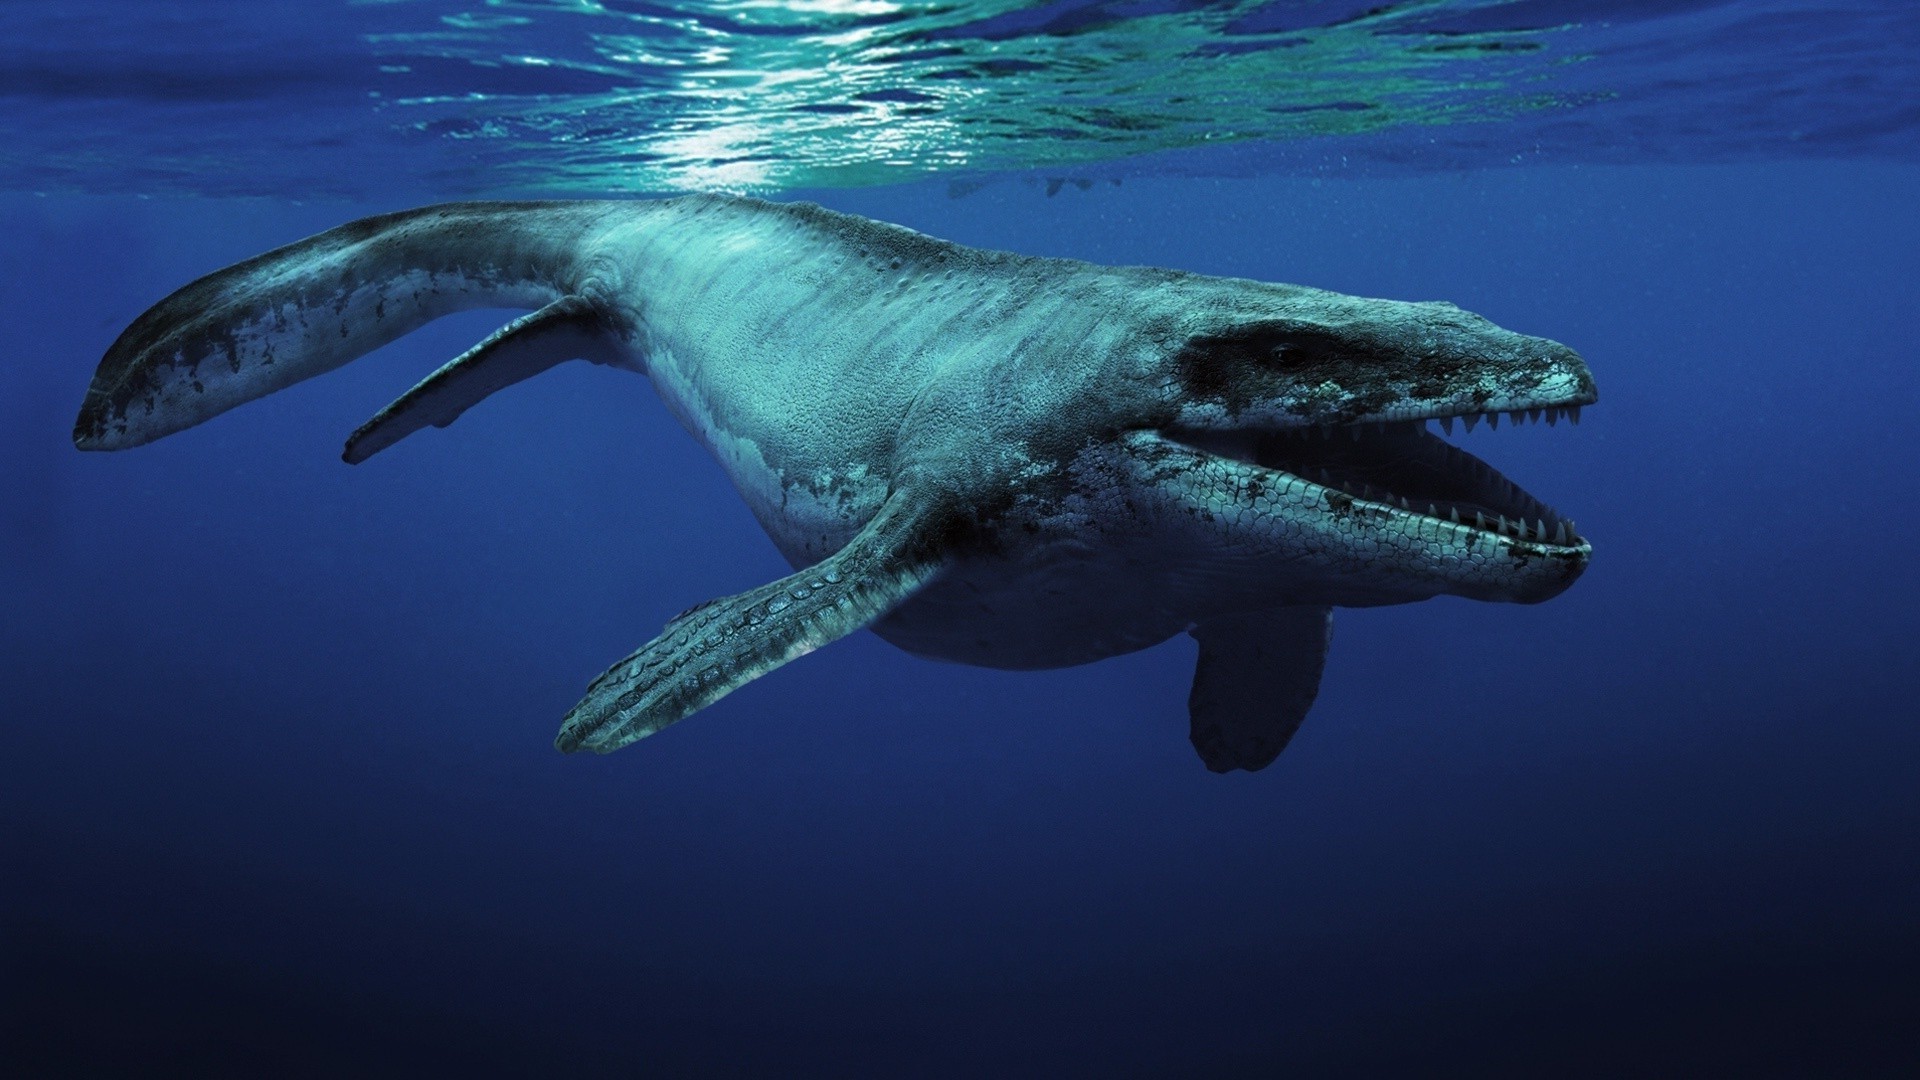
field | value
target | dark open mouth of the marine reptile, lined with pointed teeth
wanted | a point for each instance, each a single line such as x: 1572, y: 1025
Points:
x: 1406, y: 470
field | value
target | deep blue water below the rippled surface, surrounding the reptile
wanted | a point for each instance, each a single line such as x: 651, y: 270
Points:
x: 279, y: 795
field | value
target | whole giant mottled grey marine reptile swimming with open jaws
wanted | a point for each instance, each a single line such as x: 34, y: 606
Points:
x: 990, y: 458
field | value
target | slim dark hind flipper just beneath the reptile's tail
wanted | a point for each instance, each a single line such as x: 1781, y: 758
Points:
x: 571, y: 328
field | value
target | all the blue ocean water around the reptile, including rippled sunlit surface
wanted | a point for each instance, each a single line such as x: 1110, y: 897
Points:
x: 277, y: 795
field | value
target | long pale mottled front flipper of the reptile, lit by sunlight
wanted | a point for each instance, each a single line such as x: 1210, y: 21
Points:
x: 709, y: 650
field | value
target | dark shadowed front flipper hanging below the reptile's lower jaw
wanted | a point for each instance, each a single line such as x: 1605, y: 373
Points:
x: 1257, y: 679
